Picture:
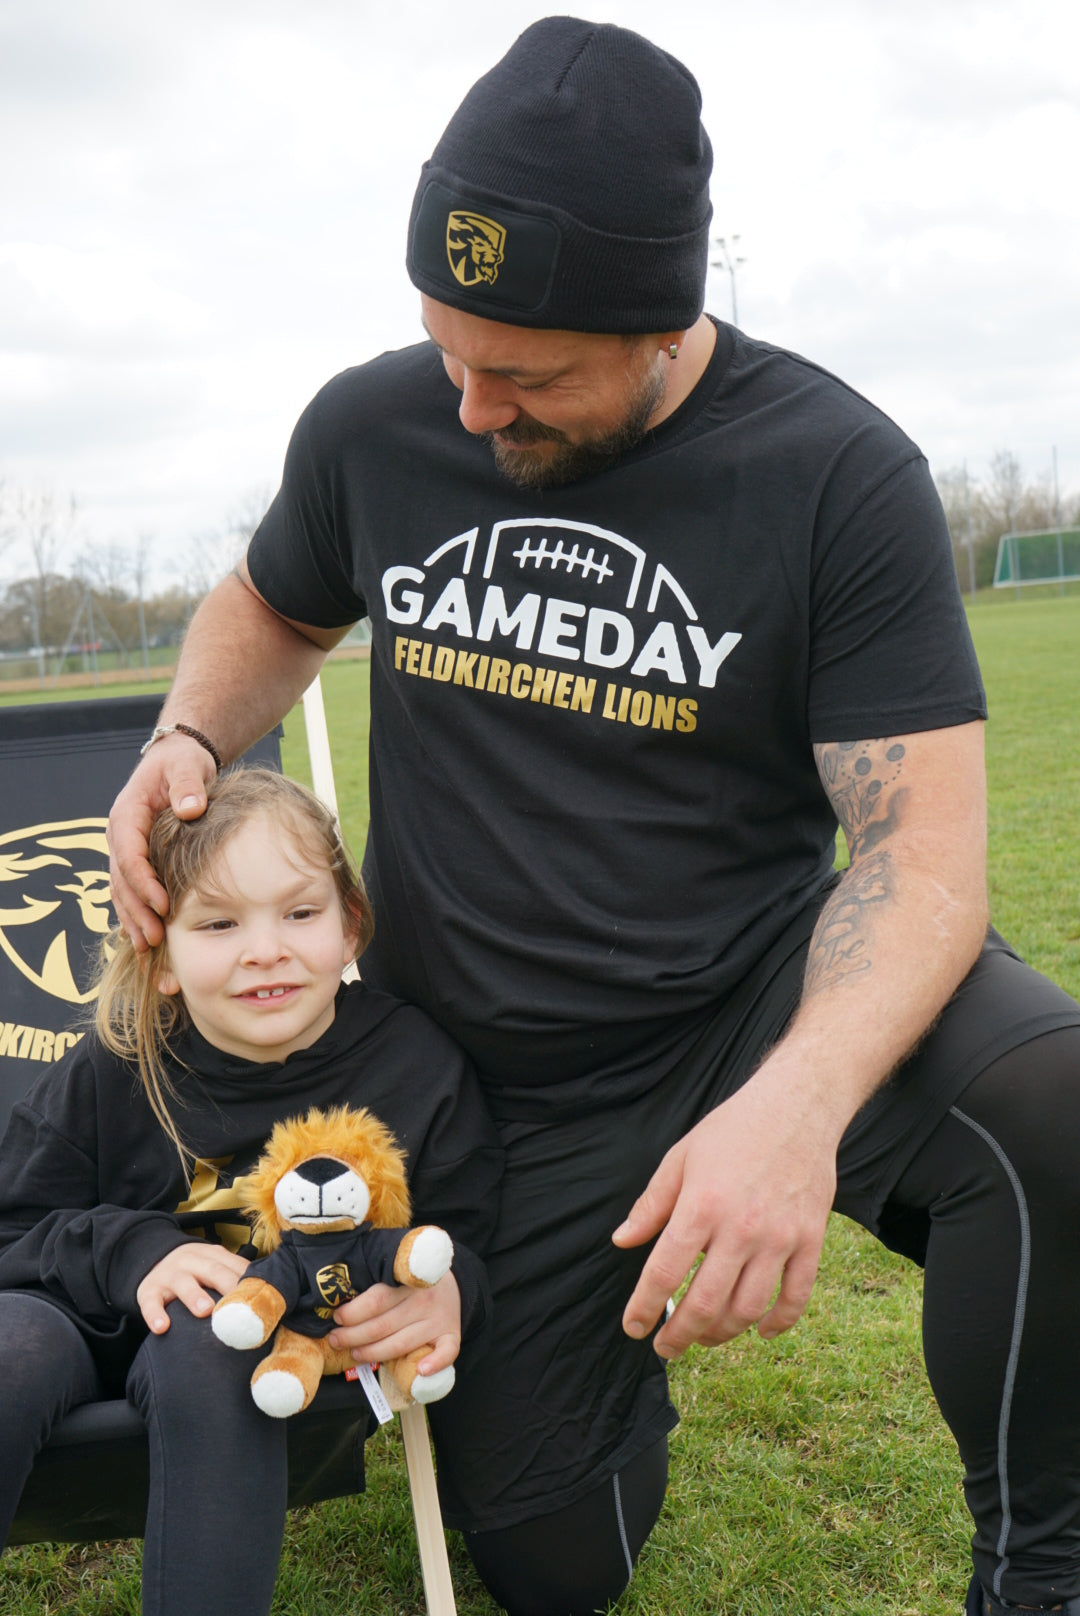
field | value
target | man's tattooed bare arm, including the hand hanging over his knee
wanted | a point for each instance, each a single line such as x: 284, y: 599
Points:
x: 751, y: 1187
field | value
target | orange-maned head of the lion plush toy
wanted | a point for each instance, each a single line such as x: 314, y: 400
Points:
x: 329, y: 1171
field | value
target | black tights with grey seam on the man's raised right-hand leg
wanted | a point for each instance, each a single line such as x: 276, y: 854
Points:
x: 998, y: 1193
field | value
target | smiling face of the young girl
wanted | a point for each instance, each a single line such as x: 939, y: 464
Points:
x: 259, y: 962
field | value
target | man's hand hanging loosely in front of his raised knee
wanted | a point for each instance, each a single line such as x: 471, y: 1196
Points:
x: 749, y: 1187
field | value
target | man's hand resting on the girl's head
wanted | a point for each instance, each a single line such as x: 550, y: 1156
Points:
x: 175, y: 772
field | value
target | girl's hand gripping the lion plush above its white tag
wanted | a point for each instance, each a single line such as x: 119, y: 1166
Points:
x: 390, y: 1321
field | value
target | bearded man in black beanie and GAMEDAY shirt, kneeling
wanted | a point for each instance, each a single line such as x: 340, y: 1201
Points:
x: 636, y: 629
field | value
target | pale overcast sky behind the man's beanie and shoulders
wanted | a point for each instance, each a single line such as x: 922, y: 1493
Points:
x: 203, y: 216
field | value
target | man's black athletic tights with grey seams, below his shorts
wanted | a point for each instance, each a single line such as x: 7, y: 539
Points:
x: 992, y: 1208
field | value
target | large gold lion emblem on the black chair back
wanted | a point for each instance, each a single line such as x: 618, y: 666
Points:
x: 54, y: 904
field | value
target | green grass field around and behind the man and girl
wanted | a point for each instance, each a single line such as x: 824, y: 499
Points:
x: 811, y: 1475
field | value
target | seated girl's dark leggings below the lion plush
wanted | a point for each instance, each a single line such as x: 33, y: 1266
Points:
x: 219, y: 1473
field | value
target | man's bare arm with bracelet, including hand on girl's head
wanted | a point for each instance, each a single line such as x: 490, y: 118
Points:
x: 242, y: 670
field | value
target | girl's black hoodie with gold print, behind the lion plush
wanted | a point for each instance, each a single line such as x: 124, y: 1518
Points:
x: 93, y: 1192
